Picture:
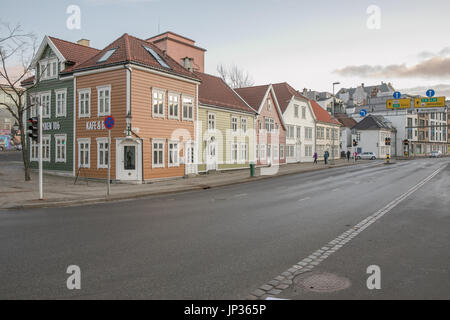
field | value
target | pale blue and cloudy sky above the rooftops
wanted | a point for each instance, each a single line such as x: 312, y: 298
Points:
x: 309, y: 44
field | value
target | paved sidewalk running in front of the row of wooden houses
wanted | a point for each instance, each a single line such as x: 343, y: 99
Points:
x: 15, y: 193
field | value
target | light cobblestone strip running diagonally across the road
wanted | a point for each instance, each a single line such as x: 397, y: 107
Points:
x: 285, y: 279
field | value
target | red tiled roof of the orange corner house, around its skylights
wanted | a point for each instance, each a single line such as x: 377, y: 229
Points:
x: 131, y: 49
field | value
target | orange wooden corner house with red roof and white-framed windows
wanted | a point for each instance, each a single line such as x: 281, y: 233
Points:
x: 154, y: 102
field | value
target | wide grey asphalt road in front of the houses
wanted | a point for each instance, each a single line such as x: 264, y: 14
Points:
x: 224, y: 243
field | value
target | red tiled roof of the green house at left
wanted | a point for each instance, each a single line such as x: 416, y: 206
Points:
x: 73, y: 52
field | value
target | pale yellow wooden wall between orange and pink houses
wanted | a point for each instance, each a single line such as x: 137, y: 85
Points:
x: 224, y: 137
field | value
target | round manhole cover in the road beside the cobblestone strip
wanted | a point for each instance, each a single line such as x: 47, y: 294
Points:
x: 322, y: 282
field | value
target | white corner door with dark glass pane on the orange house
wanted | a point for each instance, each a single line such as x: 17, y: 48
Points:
x: 128, y: 161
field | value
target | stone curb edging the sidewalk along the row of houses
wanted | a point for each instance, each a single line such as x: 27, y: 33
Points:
x: 80, y: 202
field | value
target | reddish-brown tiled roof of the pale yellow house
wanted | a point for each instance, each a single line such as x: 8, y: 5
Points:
x: 214, y: 91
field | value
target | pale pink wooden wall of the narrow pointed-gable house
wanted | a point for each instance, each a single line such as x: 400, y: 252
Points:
x: 264, y: 138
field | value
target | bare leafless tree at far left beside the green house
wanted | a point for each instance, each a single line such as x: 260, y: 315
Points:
x: 17, y: 49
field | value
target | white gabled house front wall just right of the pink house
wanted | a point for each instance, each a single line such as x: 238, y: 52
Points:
x: 299, y: 144
